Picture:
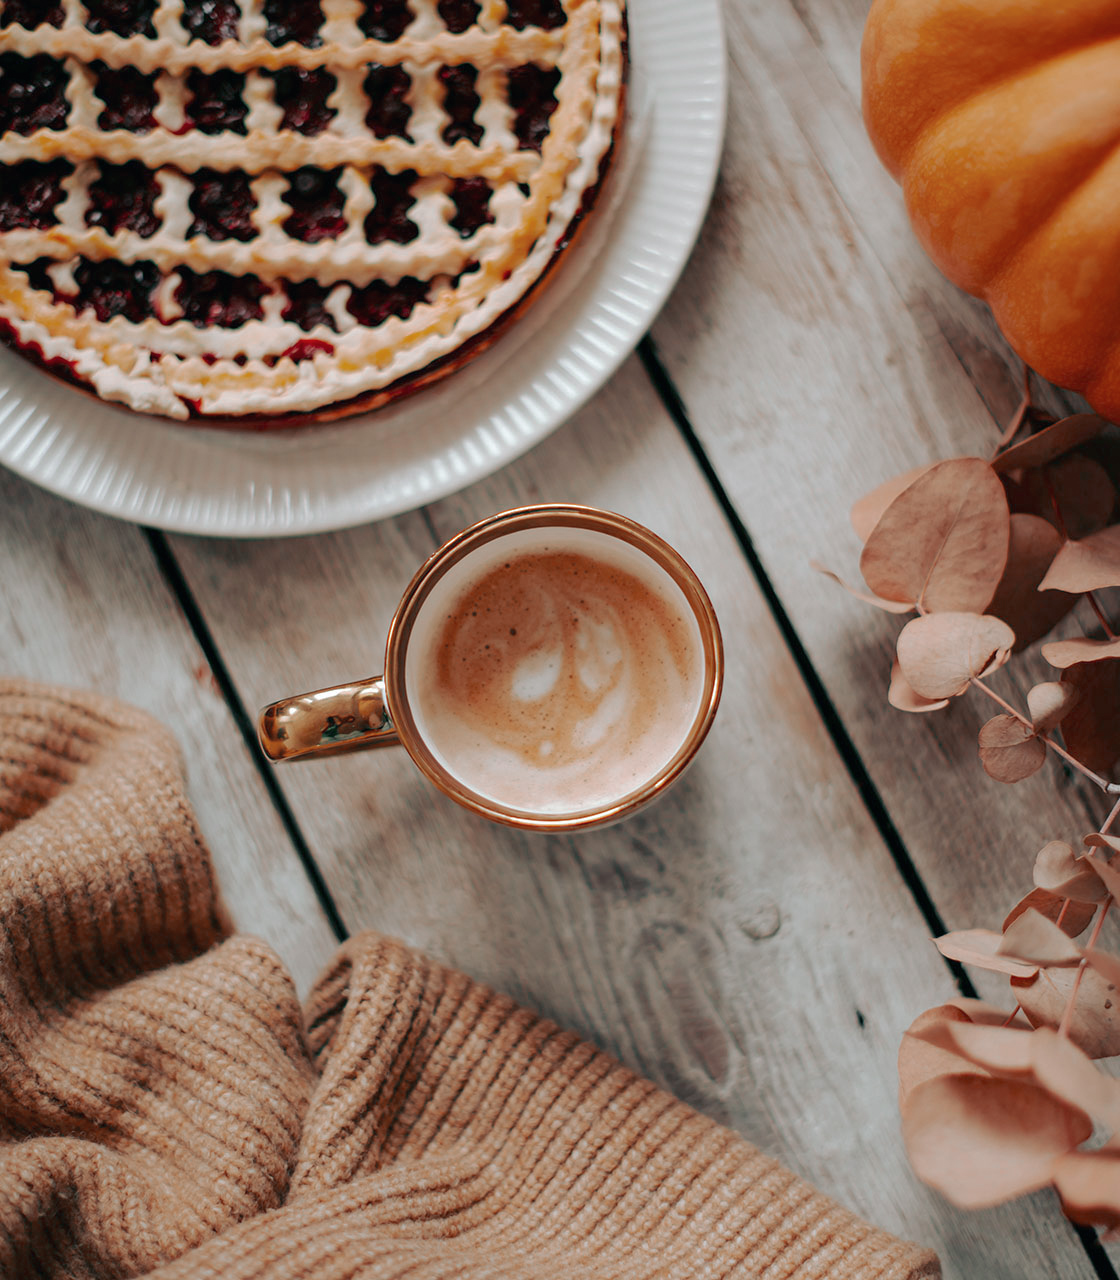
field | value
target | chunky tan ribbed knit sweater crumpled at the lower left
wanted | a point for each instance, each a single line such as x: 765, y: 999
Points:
x: 168, y: 1112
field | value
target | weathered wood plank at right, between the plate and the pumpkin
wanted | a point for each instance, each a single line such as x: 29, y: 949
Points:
x: 831, y: 358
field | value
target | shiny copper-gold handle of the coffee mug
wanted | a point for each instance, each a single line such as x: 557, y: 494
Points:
x: 328, y: 721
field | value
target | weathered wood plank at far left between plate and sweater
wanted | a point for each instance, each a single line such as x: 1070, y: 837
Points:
x: 83, y: 604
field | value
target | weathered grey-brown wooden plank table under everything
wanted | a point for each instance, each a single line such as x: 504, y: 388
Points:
x: 758, y: 941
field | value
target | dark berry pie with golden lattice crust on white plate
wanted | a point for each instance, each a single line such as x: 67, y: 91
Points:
x: 278, y: 208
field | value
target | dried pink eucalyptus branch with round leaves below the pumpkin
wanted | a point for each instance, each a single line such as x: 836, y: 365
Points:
x: 990, y: 556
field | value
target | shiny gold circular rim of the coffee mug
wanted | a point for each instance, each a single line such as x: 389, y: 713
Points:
x: 543, y: 516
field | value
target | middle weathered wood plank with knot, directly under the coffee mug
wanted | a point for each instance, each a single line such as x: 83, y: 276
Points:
x: 747, y: 943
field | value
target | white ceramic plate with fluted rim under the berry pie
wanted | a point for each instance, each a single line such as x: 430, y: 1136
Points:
x: 572, y: 341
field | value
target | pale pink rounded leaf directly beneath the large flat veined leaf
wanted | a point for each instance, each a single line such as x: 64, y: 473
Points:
x: 940, y: 653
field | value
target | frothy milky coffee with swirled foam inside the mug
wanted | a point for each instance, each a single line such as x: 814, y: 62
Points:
x: 559, y: 673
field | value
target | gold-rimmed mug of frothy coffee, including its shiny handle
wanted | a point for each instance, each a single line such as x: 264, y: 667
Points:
x: 554, y: 669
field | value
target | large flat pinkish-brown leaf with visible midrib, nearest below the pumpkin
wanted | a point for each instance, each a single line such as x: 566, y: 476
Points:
x: 944, y: 541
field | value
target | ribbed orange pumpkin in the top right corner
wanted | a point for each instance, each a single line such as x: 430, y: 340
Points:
x: 1002, y: 120
